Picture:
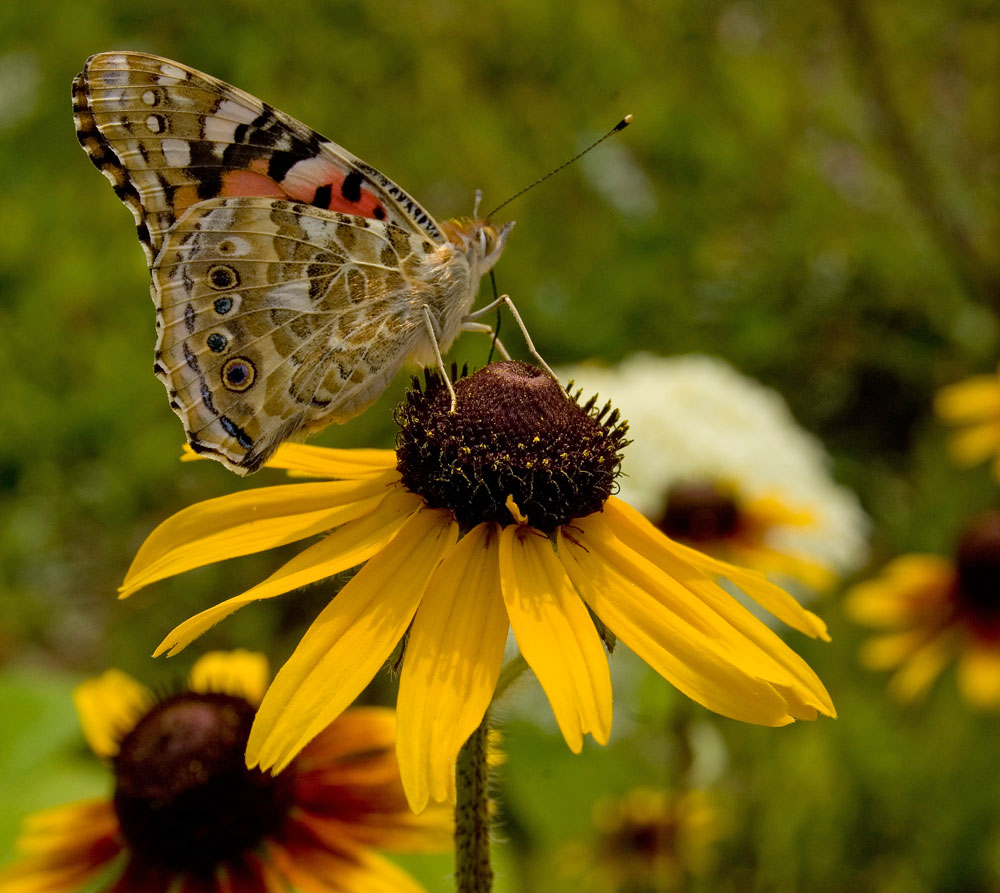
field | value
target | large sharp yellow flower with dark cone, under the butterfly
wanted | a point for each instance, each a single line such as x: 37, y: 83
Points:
x: 493, y: 517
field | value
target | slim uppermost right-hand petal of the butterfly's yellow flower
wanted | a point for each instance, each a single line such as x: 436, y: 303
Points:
x: 641, y: 536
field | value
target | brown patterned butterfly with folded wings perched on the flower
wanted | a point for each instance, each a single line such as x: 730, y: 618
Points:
x: 291, y: 279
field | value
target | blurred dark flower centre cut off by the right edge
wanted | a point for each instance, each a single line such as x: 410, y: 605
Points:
x: 977, y: 578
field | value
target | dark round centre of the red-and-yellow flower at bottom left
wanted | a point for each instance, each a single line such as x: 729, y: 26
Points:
x: 184, y: 796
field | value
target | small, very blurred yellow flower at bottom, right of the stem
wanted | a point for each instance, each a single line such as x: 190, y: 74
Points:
x: 650, y: 839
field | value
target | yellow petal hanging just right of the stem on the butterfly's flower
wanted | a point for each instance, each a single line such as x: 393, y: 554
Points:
x: 555, y: 634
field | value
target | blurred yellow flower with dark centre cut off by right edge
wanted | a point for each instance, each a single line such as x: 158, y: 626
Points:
x: 935, y: 609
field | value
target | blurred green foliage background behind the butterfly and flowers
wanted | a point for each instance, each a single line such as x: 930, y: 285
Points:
x: 811, y: 191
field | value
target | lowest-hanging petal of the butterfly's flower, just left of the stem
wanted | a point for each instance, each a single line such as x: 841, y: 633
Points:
x: 452, y: 663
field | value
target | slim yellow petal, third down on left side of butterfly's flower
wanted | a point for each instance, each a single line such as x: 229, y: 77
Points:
x: 346, y: 547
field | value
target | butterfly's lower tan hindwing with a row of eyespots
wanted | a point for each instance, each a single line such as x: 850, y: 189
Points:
x: 277, y: 317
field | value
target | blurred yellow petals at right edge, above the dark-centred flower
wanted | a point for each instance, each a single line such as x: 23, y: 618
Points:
x: 975, y: 405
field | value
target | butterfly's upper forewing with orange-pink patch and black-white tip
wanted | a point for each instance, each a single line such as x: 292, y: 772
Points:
x: 168, y: 137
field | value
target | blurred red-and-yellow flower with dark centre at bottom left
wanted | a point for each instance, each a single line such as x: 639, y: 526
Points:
x: 188, y: 816
